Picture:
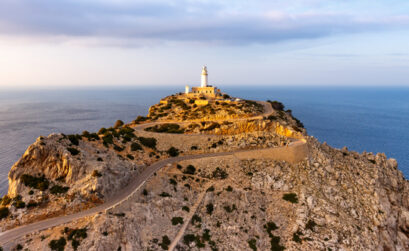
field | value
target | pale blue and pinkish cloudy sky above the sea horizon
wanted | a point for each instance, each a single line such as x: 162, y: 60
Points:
x: 90, y: 43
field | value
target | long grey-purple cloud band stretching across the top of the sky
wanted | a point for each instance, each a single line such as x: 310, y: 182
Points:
x: 126, y: 22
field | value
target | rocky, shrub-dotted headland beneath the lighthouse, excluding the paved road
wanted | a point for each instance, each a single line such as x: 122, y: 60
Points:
x: 330, y: 199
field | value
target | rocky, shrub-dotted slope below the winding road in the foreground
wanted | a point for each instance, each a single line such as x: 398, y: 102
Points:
x: 335, y: 199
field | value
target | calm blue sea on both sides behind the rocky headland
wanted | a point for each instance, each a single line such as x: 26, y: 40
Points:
x: 371, y: 119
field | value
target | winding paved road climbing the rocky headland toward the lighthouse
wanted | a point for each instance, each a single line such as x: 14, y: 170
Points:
x: 121, y: 195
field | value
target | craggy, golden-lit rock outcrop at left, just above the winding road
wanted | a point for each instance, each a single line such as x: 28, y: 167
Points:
x: 64, y: 181
